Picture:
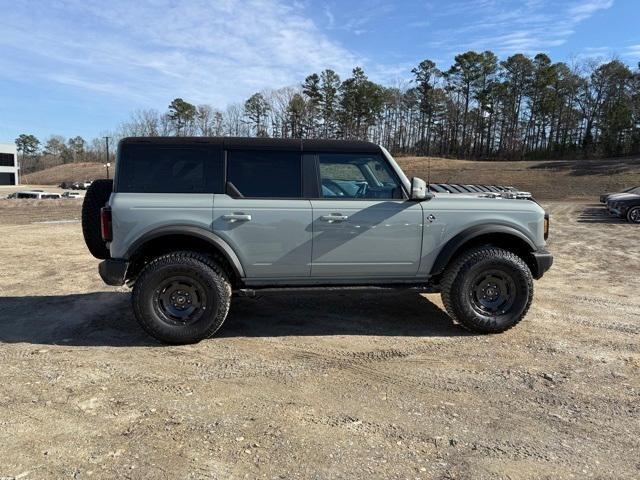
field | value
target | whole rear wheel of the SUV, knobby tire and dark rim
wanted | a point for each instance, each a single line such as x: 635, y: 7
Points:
x: 181, y: 297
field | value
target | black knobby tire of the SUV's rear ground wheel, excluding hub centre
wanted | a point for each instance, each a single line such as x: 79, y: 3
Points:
x: 194, y: 267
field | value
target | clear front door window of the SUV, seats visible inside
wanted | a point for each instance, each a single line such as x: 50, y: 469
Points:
x: 352, y: 176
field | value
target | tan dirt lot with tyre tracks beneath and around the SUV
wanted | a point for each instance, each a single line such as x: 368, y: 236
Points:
x: 319, y: 386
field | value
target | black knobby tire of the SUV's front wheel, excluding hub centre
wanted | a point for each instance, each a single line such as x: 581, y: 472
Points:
x: 459, y: 291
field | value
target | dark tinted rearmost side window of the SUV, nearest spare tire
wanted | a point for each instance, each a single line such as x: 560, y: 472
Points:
x: 170, y: 169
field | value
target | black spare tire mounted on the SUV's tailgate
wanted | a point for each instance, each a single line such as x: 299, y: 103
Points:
x: 96, y: 197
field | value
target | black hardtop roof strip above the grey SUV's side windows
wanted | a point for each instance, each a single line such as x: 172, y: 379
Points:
x: 232, y: 143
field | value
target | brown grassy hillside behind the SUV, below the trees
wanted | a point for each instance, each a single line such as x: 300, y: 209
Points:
x: 555, y: 179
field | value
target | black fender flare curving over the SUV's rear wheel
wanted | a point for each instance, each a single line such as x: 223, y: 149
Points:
x: 190, y: 231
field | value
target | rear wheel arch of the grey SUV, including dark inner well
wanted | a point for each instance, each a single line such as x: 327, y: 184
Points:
x: 167, y: 239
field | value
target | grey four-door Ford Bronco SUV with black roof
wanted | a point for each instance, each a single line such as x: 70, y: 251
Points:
x: 188, y: 221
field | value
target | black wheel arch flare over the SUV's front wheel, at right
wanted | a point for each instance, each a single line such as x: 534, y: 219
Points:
x: 501, y: 236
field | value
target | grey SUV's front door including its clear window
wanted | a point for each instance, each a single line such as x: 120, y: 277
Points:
x: 362, y: 225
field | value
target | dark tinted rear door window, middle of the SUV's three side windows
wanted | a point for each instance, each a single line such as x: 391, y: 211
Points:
x: 265, y: 174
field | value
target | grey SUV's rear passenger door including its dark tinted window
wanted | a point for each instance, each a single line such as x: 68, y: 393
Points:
x: 263, y: 215
